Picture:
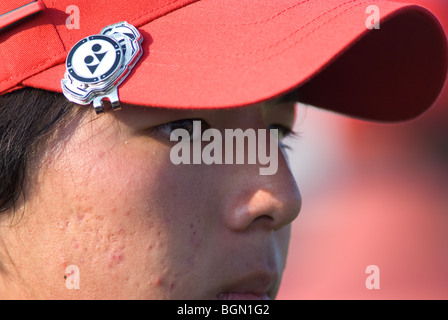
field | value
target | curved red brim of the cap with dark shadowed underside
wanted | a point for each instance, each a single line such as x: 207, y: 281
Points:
x: 215, y: 54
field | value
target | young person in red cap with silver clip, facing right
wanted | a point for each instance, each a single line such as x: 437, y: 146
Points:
x: 122, y: 176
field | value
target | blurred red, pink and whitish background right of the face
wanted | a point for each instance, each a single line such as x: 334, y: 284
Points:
x: 373, y: 194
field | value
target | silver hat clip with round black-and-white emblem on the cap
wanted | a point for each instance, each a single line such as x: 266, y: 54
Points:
x: 98, y: 64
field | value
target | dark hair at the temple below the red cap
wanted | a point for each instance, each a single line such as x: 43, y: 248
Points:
x: 26, y: 116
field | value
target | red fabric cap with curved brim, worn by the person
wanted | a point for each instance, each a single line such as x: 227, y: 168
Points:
x: 229, y: 53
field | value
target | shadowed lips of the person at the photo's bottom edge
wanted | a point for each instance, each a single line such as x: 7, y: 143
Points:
x: 256, y: 283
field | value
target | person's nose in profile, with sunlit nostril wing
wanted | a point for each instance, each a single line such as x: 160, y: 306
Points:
x: 252, y: 200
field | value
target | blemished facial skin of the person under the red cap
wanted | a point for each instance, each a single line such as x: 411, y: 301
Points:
x: 104, y: 196
